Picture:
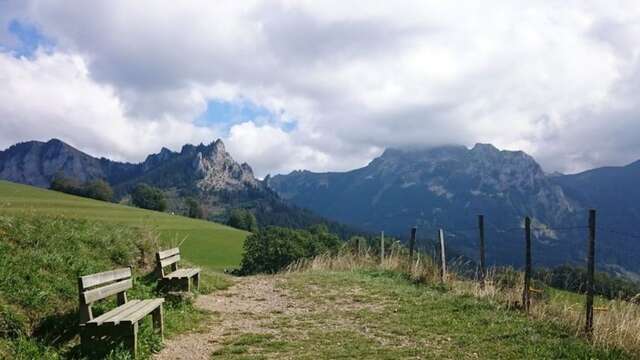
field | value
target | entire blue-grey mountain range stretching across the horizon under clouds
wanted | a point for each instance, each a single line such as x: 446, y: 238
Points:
x: 441, y: 187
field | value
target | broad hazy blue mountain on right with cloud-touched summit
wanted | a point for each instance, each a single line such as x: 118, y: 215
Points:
x: 449, y: 186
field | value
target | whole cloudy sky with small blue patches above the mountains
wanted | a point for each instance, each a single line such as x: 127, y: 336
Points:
x: 324, y: 85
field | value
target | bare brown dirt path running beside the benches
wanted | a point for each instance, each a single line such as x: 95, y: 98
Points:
x: 237, y: 309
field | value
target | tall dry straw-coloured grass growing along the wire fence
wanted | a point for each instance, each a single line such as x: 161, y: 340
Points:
x: 618, y: 326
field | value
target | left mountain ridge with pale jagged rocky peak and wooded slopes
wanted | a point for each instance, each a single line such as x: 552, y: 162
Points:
x: 205, y: 172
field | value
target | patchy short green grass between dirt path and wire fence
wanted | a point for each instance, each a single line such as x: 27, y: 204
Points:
x: 382, y: 315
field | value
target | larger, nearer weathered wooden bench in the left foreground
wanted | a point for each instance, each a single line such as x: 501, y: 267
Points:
x: 120, y: 323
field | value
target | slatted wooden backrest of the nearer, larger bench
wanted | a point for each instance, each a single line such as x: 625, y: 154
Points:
x: 95, y: 287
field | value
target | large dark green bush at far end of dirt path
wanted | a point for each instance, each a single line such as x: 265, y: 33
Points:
x: 272, y: 249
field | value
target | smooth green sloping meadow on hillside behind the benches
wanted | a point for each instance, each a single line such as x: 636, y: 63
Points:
x: 204, y: 243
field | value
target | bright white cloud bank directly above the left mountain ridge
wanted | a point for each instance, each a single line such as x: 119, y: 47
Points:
x: 52, y: 95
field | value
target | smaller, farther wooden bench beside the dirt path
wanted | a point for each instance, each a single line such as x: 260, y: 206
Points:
x: 181, y: 277
